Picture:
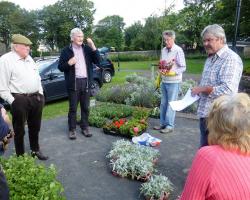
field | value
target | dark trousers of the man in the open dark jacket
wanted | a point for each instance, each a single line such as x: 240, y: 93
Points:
x: 80, y: 95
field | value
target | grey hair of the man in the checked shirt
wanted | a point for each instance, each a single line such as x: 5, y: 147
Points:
x: 215, y: 30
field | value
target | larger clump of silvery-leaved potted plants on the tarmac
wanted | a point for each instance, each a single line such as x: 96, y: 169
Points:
x: 132, y: 161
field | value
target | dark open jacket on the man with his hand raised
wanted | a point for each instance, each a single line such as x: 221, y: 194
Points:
x: 69, y: 71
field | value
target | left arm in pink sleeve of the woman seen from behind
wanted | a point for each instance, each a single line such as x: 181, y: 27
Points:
x: 198, y: 178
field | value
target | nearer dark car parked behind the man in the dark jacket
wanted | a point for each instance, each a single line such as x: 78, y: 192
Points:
x: 53, y: 81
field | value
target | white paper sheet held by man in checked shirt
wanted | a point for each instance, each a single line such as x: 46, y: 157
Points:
x: 187, y: 100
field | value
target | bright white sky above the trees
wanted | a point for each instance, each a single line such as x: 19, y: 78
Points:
x: 130, y: 10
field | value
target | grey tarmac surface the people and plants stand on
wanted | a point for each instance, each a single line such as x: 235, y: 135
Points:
x: 84, y: 170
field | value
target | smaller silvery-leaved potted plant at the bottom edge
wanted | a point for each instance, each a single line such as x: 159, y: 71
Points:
x: 157, y: 188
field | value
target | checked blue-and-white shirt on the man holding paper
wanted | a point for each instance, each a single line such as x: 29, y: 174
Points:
x: 222, y: 71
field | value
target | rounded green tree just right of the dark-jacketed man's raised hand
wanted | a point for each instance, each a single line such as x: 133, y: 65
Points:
x: 109, y: 32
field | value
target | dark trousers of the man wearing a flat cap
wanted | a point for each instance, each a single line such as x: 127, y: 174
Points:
x: 27, y: 109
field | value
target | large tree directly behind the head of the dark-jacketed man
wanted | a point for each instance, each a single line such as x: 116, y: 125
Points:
x: 57, y: 20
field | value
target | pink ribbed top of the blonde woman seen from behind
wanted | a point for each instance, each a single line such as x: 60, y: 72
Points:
x: 217, y: 174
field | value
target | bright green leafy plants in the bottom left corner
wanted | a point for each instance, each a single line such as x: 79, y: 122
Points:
x: 28, y: 180
